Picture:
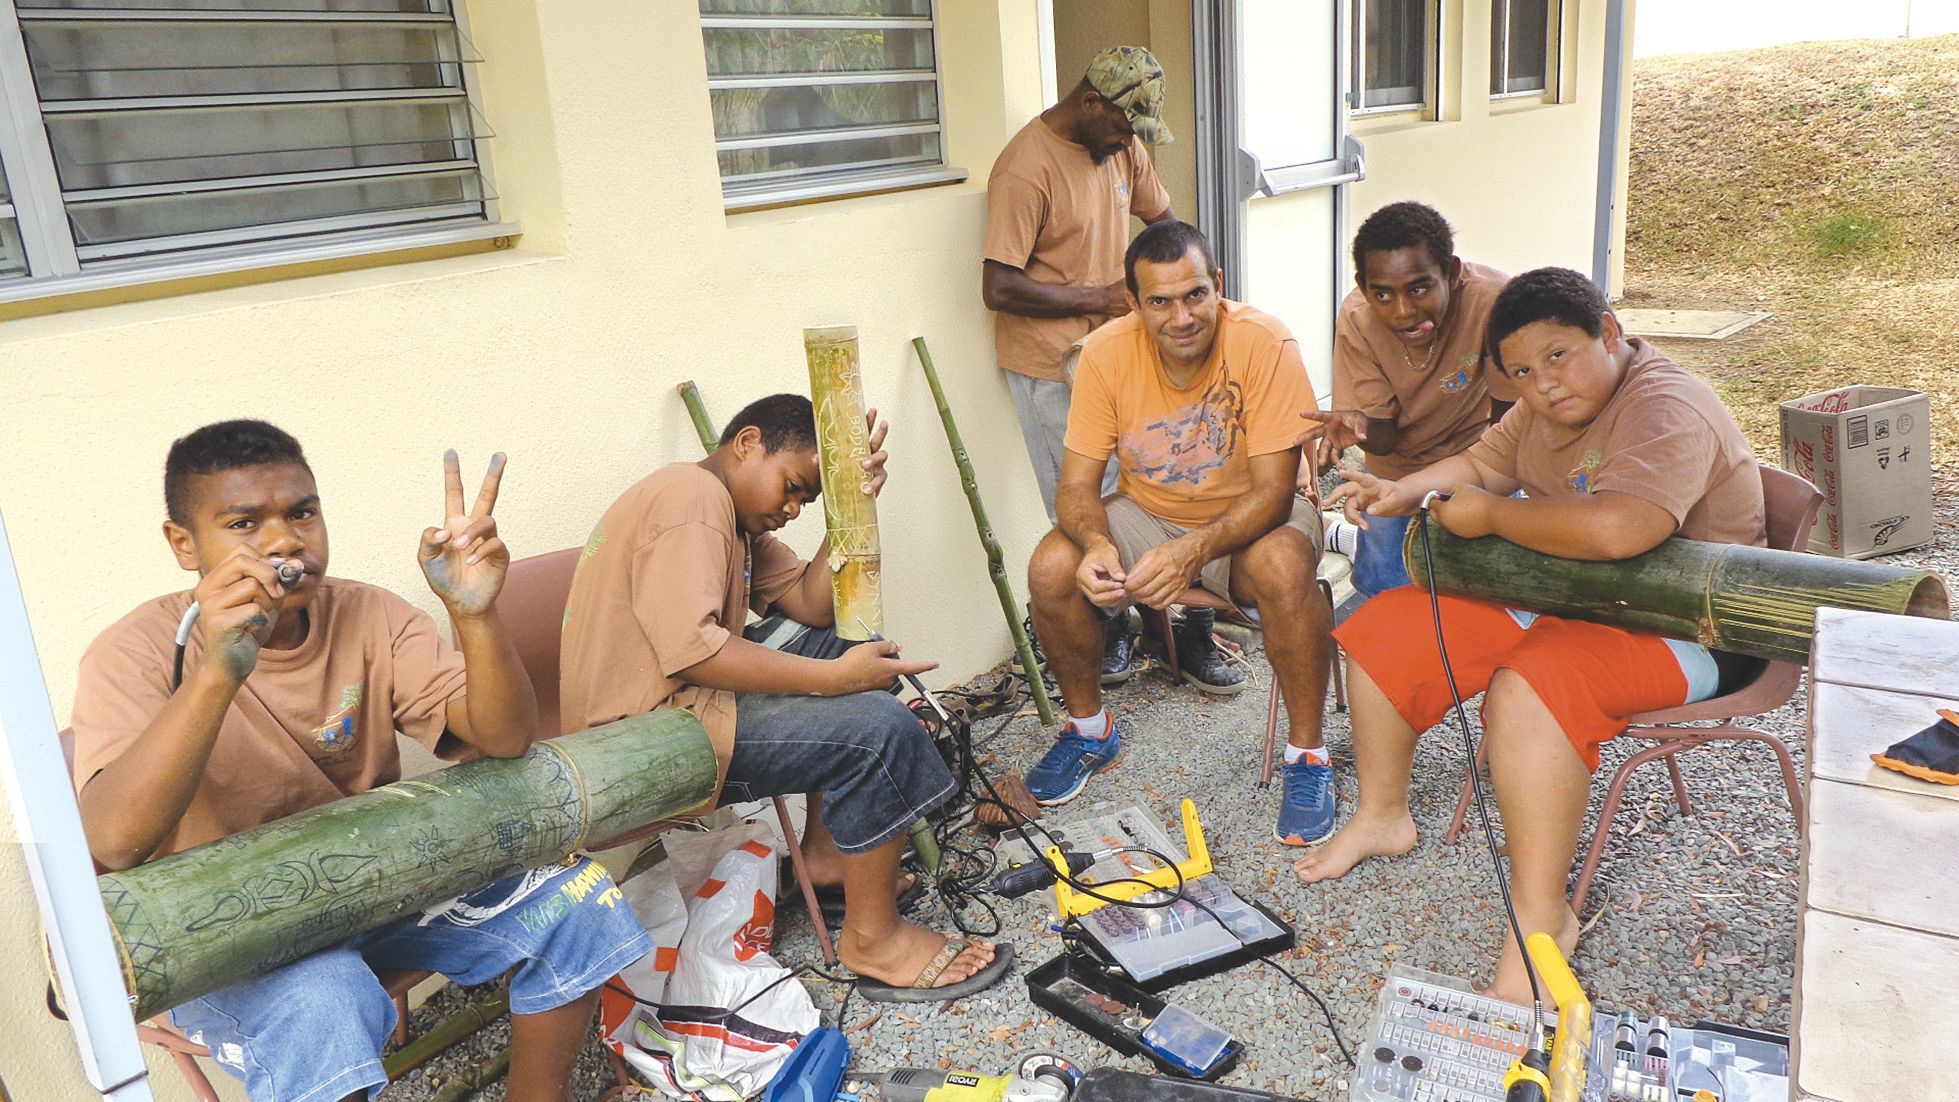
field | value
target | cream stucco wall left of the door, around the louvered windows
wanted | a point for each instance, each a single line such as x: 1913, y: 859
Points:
x: 561, y: 351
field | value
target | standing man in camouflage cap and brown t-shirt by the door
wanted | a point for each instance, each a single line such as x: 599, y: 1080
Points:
x: 1059, y: 207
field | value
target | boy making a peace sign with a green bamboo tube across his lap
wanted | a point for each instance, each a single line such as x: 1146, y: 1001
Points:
x: 289, y: 698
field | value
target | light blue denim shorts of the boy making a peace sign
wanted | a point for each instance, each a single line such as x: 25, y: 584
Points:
x: 314, y: 1031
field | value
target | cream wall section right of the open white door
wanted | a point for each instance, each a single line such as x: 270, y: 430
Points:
x: 1515, y: 177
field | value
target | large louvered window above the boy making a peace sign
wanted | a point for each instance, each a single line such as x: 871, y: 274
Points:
x: 148, y: 132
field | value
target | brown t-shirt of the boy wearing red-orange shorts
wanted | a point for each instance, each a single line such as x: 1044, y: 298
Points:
x: 1662, y: 437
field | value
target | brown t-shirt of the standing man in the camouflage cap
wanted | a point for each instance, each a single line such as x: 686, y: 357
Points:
x: 1063, y: 220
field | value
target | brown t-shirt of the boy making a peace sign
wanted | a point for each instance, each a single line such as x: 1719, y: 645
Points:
x: 309, y: 727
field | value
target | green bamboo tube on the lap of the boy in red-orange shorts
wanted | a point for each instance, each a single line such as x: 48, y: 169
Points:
x: 1733, y: 598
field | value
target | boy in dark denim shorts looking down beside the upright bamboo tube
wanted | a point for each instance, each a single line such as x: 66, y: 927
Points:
x: 657, y: 620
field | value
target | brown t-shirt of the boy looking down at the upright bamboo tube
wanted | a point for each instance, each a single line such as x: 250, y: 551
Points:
x: 665, y: 582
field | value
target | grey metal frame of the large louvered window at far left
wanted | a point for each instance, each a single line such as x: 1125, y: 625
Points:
x: 56, y: 265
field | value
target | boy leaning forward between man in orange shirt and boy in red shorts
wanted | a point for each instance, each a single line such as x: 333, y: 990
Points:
x: 1411, y: 381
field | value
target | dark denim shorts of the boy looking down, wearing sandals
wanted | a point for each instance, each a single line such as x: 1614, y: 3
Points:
x: 869, y: 757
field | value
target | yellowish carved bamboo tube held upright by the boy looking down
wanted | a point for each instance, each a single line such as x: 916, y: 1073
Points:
x: 849, y: 514
